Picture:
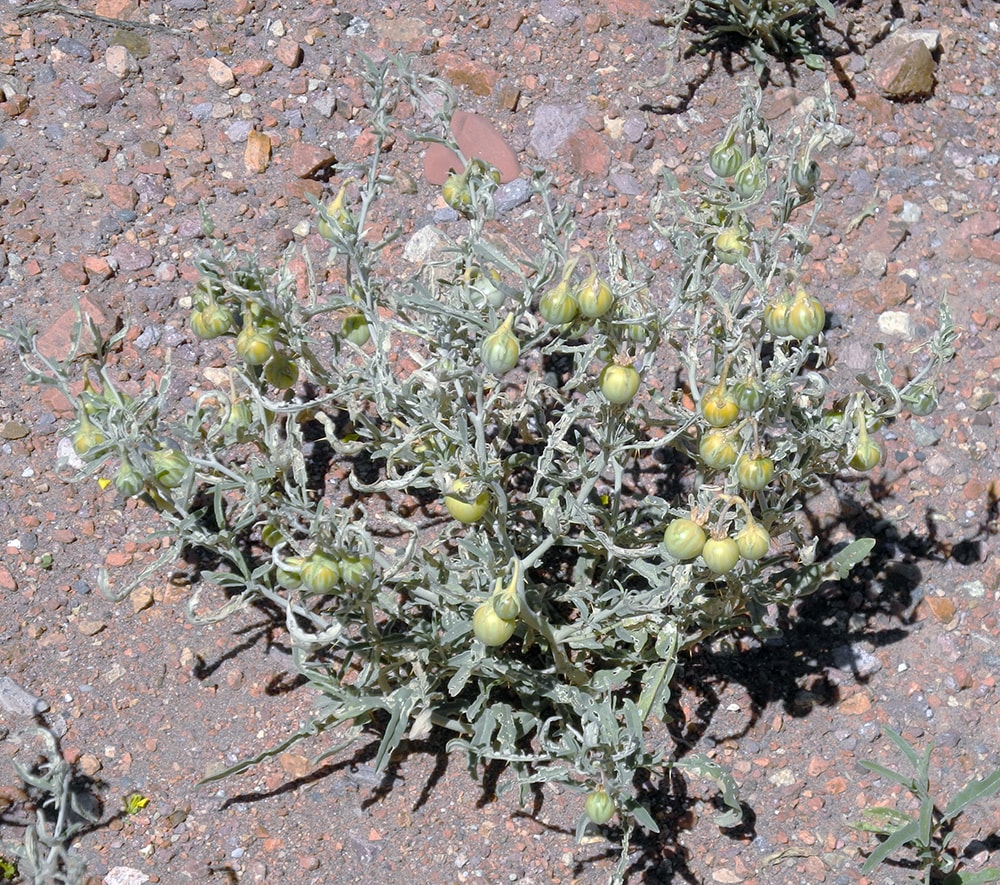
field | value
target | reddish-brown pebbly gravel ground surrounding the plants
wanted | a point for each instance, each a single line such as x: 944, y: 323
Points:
x: 112, y: 136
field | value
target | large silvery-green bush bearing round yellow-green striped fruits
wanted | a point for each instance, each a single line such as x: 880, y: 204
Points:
x: 502, y: 494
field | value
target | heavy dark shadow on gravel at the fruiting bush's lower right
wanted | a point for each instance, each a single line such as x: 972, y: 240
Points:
x: 821, y: 647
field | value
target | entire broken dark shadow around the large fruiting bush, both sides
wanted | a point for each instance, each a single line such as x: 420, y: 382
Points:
x: 820, y: 644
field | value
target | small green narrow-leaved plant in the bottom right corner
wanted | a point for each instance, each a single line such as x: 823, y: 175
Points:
x: 928, y: 833
